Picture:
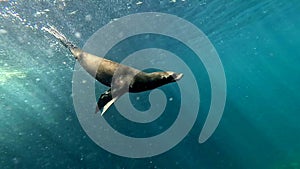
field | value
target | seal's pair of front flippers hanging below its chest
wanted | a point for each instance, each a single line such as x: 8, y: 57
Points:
x: 105, y: 101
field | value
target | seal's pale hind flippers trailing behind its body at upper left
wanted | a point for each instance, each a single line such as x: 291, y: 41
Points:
x: 61, y: 37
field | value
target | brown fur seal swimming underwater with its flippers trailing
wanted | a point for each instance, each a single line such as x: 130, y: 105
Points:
x: 120, y: 78
